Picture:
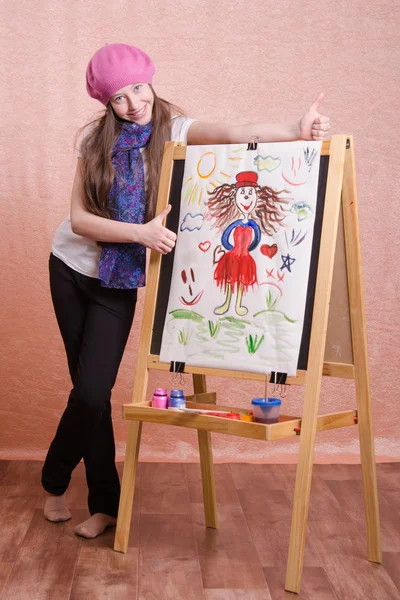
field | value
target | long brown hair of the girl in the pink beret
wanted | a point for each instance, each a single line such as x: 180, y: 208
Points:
x: 96, y: 148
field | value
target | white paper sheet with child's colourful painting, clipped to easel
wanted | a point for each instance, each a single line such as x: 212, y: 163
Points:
x: 241, y: 262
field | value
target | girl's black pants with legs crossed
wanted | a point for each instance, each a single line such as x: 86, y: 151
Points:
x: 95, y: 323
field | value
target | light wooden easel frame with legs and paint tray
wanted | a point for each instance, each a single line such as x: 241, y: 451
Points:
x: 340, y: 193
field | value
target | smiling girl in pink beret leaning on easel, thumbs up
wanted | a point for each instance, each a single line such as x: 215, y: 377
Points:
x: 98, y: 258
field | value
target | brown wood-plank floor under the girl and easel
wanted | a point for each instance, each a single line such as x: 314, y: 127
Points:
x: 173, y: 556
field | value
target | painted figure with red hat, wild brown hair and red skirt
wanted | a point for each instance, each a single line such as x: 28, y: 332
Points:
x: 236, y: 271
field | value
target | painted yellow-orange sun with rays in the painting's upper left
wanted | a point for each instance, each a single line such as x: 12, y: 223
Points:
x: 209, y: 173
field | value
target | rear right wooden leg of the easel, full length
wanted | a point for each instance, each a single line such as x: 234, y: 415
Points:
x: 359, y: 339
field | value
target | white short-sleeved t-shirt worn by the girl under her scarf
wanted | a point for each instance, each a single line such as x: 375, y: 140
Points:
x: 83, y: 254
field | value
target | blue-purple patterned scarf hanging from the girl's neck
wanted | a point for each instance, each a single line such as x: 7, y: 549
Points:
x: 123, y: 265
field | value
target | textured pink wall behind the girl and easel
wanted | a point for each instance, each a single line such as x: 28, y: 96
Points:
x: 220, y: 61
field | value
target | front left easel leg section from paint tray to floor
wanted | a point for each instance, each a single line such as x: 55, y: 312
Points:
x: 128, y: 487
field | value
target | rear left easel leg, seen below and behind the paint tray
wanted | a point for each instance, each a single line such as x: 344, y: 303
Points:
x: 206, y: 463
